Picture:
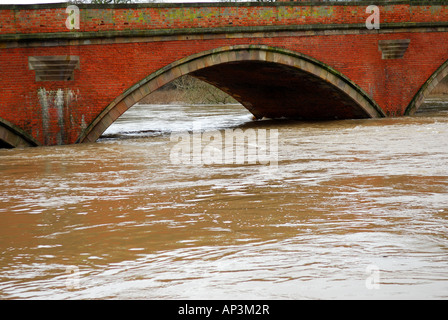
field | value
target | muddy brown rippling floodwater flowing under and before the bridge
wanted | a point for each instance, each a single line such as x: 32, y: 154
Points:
x: 116, y: 219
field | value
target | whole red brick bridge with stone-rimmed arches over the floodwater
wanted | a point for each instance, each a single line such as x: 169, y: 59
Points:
x: 300, y: 60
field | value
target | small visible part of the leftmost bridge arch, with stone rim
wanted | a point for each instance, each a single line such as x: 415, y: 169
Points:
x: 12, y: 136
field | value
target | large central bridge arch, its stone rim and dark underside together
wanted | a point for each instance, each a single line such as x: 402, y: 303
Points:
x: 252, y: 74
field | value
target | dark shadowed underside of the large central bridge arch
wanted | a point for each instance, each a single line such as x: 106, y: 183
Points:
x: 273, y: 90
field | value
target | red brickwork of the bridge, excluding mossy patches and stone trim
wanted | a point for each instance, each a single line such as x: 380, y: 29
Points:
x: 108, y: 70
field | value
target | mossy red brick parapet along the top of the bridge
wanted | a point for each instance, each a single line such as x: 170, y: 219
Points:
x: 16, y: 21
